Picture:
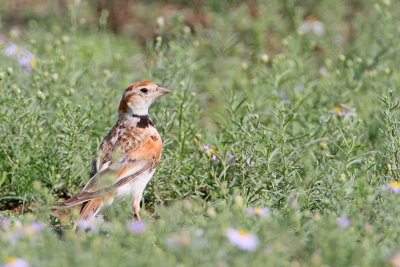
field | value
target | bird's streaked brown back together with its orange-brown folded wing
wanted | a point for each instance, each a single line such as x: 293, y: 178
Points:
x: 140, y: 146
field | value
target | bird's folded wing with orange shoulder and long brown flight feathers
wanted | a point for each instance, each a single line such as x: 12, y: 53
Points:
x: 143, y: 155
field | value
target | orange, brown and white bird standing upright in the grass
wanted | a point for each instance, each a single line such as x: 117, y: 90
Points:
x: 127, y: 157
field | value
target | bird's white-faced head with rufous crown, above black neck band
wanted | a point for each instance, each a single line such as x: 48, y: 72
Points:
x: 138, y: 97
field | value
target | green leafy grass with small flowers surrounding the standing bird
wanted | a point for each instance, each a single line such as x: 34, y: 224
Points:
x: 315, y: 160
